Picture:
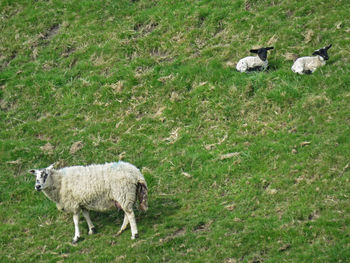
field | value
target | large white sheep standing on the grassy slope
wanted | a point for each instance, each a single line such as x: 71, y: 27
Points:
x: 95, y: 187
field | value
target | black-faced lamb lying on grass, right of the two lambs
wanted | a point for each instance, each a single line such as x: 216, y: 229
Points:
x: 307, y: 65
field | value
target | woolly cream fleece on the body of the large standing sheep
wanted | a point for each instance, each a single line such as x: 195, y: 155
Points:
x: 95, y: 187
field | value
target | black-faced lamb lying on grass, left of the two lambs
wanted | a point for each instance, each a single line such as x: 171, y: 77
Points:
x: 254, y: 63
